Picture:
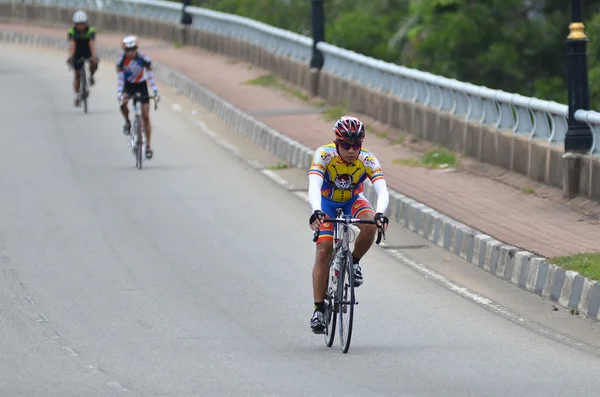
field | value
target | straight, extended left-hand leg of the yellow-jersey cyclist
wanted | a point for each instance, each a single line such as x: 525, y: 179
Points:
x: 324, y: 249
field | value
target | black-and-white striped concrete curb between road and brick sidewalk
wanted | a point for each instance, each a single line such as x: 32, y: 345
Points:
x: 511, y: 264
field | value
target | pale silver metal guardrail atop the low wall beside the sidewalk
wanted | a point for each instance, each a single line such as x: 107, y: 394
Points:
x: 532, y: 117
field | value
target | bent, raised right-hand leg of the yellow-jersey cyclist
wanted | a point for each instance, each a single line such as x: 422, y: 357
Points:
x: 362, y: 209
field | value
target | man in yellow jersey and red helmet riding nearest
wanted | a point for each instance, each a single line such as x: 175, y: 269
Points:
x: 336, y: 181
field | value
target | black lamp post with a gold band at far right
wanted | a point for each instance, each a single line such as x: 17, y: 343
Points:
x: 579, y: 136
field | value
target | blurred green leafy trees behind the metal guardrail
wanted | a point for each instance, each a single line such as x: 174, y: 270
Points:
x: 513, y: 45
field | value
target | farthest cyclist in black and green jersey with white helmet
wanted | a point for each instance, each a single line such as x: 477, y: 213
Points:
x: 82, y: 45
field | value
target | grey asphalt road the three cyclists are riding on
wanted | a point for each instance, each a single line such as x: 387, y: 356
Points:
x: 192, y: 277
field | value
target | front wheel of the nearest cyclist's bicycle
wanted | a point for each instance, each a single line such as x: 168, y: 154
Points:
x: 346, y: 301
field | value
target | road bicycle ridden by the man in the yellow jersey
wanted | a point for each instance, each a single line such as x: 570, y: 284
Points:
x: 340, y: 298
